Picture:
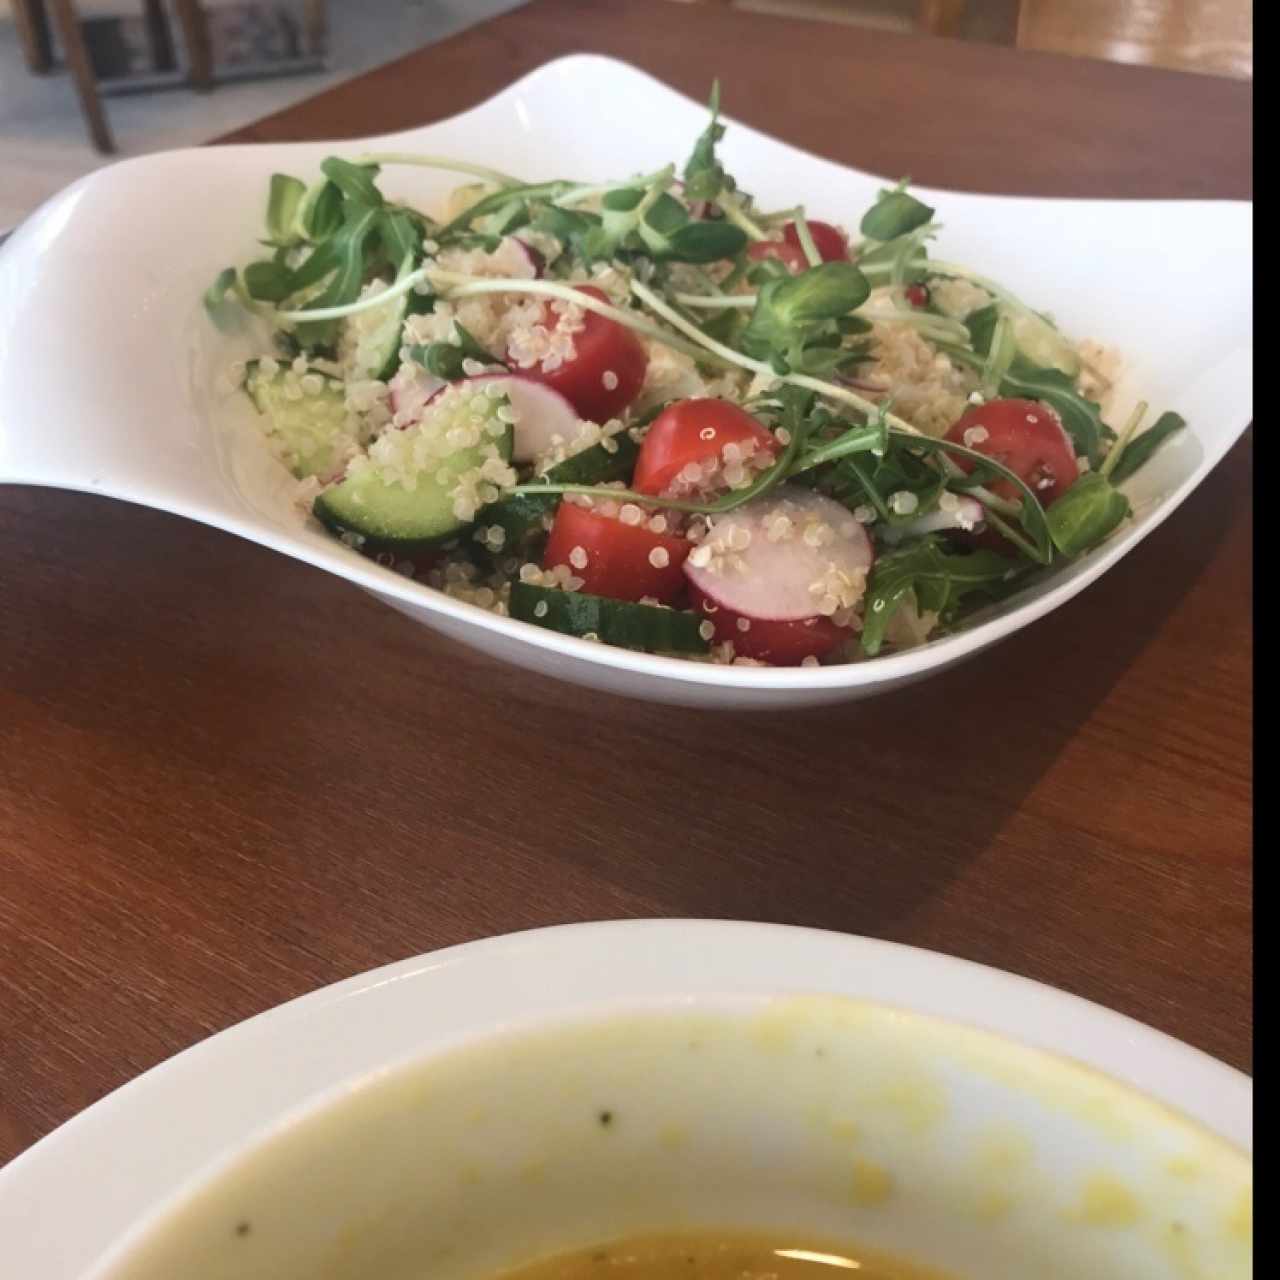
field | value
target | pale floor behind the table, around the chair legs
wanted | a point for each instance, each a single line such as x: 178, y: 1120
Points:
x: 44, y: 145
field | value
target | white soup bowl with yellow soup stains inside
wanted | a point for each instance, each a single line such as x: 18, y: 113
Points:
x: 689, y: 1099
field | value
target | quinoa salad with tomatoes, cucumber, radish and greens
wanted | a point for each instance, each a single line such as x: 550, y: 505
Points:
x: 652, y: 414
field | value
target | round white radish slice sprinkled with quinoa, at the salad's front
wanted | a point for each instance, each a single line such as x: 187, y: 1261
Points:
x: 784, y: 557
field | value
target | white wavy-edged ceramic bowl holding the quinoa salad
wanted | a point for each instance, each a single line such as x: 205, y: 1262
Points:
x: 109, y: 368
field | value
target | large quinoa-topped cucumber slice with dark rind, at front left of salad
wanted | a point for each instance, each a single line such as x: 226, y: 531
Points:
x: 418, y: 487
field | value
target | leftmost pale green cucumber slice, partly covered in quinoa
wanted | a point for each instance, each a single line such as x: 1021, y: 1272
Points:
x: 313, y: 435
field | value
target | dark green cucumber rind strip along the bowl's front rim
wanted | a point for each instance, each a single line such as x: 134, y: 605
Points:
x: 618, y: 623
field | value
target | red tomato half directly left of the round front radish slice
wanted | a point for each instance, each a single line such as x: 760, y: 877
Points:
x: 618, y: 560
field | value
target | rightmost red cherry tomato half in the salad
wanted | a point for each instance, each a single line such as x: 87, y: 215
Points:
x: 1028, y: 438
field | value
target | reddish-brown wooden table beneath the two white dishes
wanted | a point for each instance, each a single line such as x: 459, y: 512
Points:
x: 230, y: 779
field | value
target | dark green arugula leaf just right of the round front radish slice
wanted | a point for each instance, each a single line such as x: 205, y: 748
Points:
x: 940, y: 580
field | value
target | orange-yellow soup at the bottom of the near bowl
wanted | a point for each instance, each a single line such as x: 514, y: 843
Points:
x: 721, y: 1256
